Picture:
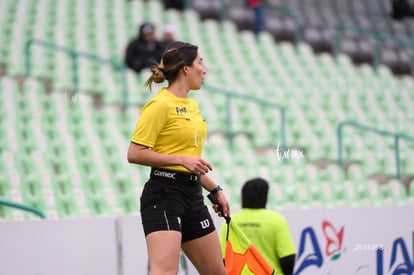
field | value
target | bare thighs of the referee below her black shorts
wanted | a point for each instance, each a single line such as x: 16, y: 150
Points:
x: 164, y: 253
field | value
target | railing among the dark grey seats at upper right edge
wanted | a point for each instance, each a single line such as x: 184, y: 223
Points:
x: 377, y: 36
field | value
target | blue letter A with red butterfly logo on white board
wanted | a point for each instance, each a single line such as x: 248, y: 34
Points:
x: 310, y: 252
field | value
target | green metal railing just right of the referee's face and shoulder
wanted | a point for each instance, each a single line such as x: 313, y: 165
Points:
x: 265, y: 103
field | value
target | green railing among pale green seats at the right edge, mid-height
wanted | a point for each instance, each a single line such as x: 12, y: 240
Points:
x: 396, y: 136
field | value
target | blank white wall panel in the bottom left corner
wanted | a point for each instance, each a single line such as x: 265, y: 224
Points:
x: 59, y: 247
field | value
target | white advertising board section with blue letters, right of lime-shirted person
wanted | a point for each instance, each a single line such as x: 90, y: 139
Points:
x: 362, y: 241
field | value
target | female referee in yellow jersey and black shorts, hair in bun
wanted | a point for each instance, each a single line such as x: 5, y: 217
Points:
x: 166, y: 138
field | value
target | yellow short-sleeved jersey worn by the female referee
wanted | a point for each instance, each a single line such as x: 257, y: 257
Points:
x: 171, y: 125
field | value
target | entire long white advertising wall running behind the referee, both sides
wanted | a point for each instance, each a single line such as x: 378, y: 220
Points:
x: 360, y: 241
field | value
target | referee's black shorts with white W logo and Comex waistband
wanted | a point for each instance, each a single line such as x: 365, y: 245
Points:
x: 173, y: 204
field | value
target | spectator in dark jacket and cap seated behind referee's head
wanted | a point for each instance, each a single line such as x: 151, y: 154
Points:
x: 144, y: 50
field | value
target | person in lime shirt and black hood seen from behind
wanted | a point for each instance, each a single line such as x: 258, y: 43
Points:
x: 267, y: 230
